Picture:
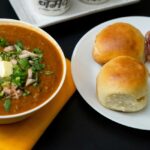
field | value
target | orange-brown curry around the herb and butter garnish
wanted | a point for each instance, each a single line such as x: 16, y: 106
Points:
x: 49, y: 75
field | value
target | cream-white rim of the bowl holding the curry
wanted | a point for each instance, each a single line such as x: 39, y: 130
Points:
x: 51, y: 39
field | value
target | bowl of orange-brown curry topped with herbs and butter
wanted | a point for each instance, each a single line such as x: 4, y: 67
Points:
x: 32, y: 69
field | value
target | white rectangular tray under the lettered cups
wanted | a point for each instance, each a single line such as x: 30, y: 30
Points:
x: 25, y: 11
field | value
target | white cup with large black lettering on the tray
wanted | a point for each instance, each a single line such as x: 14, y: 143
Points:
x: 51, y: 7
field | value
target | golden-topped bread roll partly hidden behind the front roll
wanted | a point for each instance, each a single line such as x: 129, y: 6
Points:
x: 116, y: 40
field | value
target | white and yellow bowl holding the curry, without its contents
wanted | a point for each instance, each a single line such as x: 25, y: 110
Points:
x: 5, y: 119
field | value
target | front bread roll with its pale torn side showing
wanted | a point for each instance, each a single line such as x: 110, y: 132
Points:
x: 122, y: 84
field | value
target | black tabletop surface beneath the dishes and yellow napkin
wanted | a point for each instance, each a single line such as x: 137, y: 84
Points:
x: 78, y: 126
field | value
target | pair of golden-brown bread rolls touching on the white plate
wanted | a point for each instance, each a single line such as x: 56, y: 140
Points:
x: 122, y: 83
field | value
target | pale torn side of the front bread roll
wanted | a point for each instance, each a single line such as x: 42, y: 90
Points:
x: 124, y: 102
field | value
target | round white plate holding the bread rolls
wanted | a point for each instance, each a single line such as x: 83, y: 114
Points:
x: 85, y: 70
